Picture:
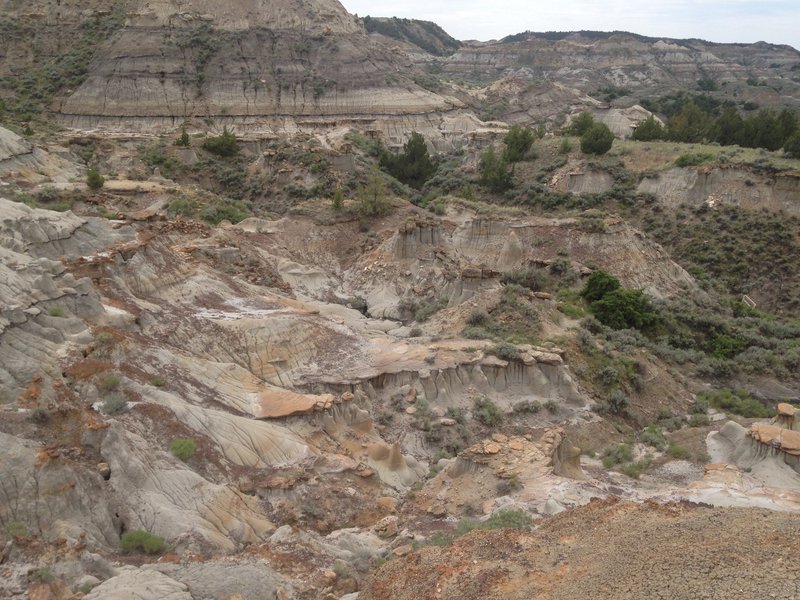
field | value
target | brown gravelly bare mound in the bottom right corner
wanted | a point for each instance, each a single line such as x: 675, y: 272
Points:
x: 608, y: 549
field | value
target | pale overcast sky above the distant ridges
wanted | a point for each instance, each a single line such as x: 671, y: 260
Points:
x: 774, y: 21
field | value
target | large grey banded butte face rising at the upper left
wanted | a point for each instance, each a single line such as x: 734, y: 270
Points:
x: 247, y: 61
